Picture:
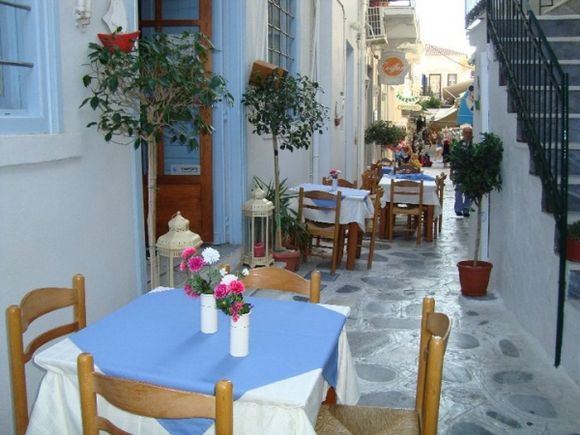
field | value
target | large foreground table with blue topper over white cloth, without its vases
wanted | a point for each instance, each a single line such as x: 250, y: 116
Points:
x: 297, y: 351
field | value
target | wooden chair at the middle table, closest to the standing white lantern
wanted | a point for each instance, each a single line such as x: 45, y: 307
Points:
x: 325, y: 202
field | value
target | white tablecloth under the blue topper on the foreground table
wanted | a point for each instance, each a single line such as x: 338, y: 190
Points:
x: 289, y: 406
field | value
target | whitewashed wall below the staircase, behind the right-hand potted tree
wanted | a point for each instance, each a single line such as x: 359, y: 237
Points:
x: 521, y: 235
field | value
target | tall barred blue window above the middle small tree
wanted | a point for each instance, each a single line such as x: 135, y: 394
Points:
x: 280, y: 33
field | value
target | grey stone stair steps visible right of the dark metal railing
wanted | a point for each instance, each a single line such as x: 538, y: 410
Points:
x: 561, y: 25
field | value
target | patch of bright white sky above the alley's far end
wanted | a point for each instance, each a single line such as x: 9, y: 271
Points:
x: 442, y: 23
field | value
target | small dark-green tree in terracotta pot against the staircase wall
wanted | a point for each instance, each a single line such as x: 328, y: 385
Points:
x: 477, y: 168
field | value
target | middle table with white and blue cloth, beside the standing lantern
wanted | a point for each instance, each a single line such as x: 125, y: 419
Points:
x: 356, y: 206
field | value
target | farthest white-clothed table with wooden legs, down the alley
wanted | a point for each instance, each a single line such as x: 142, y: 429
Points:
x: 430, y: 201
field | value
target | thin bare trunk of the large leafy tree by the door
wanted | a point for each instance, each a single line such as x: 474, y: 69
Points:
x: 152, y: 209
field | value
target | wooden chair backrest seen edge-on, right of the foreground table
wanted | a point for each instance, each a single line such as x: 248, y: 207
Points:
x: 435, y: 329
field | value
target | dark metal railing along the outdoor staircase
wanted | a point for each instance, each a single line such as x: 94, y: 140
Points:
x: 538, y: 88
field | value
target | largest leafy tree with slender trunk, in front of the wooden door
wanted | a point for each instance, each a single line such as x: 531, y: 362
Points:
x: 160, y: 89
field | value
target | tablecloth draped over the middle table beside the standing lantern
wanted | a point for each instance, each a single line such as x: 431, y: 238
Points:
x: 356, y: 205
